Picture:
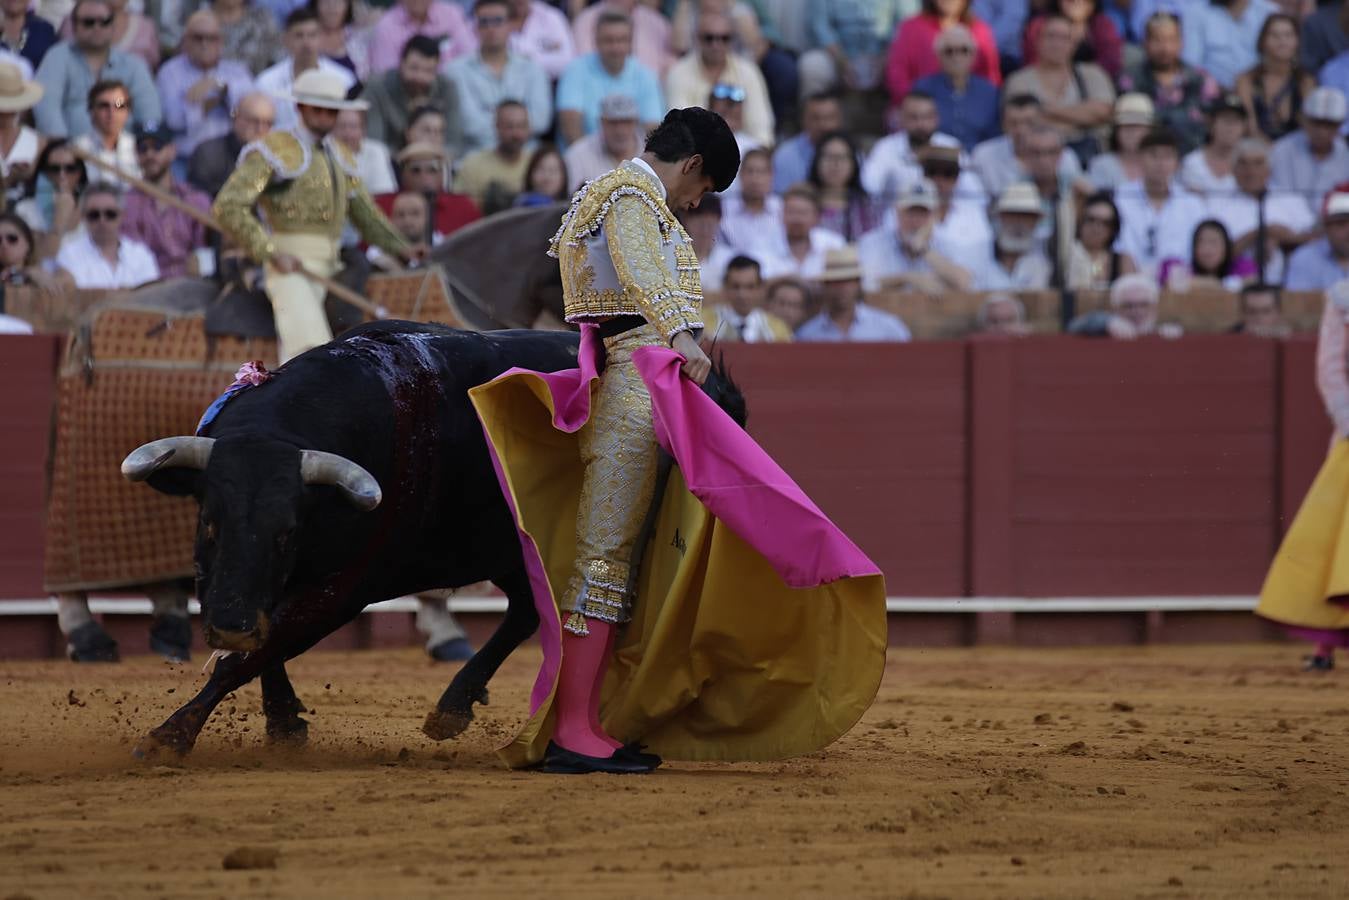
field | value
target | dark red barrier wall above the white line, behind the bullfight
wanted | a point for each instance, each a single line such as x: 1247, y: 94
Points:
x: 1038, y: 468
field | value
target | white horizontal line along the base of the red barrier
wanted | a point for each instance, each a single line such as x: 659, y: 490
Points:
x: 1222, y: 604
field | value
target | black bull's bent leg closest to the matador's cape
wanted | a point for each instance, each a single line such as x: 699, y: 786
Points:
x: 455, y: 709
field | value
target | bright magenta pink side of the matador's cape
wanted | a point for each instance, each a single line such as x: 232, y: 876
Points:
x: 722, y: 466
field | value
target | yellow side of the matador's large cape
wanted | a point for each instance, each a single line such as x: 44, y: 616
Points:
x: 722, y: 660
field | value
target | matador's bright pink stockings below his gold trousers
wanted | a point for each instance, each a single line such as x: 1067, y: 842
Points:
x: 585, y: 663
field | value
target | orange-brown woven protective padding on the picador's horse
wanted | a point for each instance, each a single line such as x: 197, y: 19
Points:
x: 134, y: 376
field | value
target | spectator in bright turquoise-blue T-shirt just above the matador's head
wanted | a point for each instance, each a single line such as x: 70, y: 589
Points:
x: 612, y: 69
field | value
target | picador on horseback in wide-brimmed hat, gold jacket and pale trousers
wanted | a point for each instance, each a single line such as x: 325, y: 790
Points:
x: 307, y: 186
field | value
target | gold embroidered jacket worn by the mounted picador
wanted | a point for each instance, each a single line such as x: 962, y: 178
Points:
x: 302, y: 188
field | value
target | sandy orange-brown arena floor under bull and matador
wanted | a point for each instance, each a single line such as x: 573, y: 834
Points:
x: 1143, y: 772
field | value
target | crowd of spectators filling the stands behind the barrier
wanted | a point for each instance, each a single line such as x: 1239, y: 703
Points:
x: 929, y: 146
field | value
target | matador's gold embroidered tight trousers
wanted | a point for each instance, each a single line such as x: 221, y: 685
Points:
x: 621, y: 455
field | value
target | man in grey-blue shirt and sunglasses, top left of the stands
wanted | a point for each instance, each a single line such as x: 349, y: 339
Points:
x: 72, y: 68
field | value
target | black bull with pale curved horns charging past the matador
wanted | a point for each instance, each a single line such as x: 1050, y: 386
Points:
x: 358, y: 474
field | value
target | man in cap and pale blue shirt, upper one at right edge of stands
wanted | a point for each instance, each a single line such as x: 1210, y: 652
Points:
x: 1313, y: 160
